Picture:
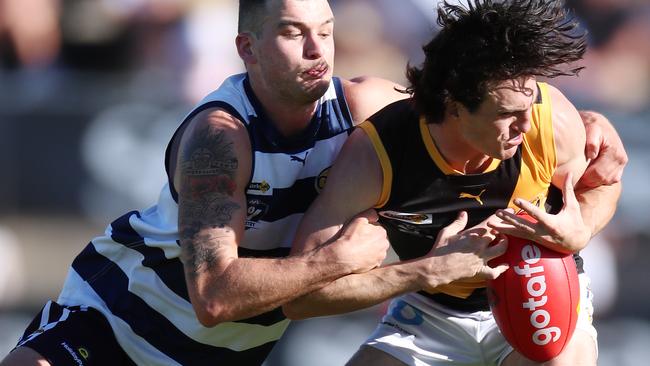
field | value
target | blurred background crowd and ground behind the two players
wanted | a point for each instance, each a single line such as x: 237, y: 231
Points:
x: 91, y: 91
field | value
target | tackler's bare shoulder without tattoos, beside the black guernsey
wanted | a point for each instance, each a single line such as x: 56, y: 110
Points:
x: 366, y: 95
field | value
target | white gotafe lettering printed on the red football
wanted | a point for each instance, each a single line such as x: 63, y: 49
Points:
x: 536, y: 288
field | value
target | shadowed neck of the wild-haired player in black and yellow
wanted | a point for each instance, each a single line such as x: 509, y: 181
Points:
x: 455, y: 150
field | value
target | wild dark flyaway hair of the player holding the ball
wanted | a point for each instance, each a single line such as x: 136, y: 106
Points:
x: 489, y: 41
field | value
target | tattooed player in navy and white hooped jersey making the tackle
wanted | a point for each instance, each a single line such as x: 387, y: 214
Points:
x: 199, y: 277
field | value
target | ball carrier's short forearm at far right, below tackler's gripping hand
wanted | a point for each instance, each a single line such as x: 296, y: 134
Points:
x: 597, y: 205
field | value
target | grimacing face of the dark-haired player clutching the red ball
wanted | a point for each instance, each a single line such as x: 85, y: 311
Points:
x: 496, y: 129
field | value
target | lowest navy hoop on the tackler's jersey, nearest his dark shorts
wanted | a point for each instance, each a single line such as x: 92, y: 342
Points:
x: 111, y: 285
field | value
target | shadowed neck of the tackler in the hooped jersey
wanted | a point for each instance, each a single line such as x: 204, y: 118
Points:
x: 288, y: 116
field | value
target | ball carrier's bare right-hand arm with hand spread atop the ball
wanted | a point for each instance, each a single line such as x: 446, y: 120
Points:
x: 586, y: 211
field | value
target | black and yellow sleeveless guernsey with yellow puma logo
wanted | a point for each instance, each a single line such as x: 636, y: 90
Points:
x: 422, y: 194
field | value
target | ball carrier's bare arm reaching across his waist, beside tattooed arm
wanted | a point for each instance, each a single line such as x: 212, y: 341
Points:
x: 456, y: 255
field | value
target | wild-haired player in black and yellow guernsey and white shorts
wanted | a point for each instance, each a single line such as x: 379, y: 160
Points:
x: 479, y: 138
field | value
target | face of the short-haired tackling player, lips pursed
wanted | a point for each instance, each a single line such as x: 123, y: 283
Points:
x: 296, y: 48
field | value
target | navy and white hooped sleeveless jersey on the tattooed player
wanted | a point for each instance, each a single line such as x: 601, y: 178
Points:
x: 133, y: 274
